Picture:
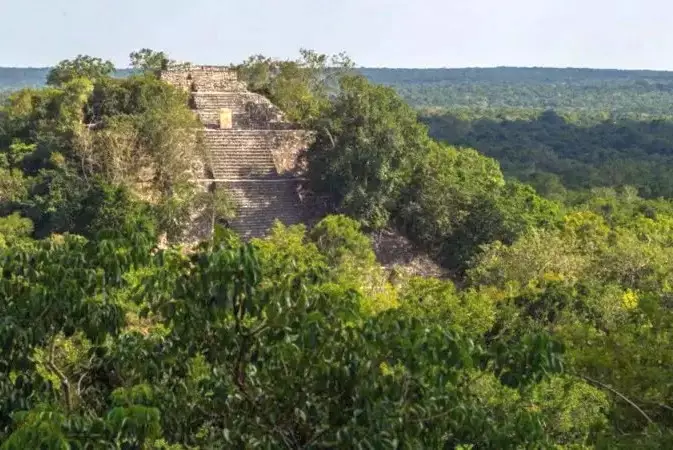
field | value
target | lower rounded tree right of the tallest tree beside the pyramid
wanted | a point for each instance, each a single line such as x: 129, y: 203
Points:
x: 459, y: 201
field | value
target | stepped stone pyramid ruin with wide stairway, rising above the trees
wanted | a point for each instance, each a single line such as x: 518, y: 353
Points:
x: 252, y: 149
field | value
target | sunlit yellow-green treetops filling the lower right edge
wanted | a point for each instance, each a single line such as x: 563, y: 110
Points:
x: 602, y: 283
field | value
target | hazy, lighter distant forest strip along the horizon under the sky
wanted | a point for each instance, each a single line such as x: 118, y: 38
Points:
x: 590, y: 90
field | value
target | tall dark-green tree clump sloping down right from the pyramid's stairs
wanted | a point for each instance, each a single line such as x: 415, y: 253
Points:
x: 376, y: 163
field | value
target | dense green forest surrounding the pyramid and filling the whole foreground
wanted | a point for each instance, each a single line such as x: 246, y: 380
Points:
x: 551, y: 330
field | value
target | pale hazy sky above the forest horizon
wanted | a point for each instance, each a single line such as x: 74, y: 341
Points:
x: 392, y: 33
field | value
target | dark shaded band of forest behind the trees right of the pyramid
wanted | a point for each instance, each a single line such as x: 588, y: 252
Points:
x: 554, y: 152
